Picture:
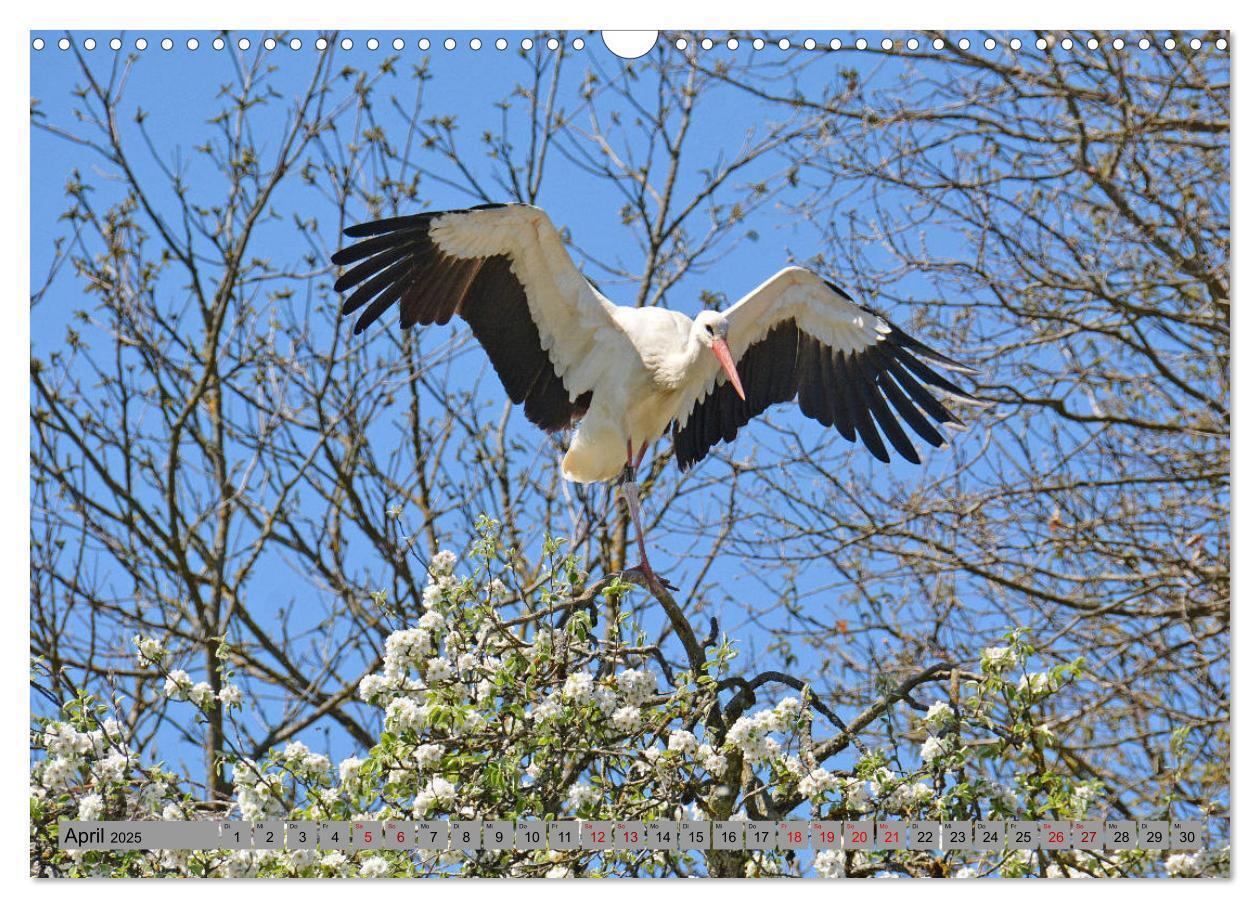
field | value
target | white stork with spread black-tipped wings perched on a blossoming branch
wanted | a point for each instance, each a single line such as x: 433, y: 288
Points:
x: 623, y: 375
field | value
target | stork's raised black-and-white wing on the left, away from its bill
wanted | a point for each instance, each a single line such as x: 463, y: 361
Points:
x: 506, y: 271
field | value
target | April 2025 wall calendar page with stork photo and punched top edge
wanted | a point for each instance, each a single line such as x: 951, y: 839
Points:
x: 675, y: 454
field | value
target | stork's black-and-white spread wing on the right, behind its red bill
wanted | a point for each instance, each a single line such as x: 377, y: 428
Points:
x: 801, y: 337
